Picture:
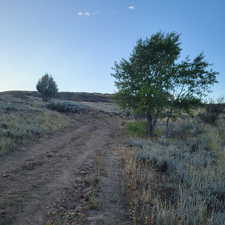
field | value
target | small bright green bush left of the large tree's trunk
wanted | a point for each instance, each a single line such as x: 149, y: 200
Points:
x: 137, y: 128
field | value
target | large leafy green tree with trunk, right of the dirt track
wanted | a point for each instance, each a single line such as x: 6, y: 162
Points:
x: 154, y: 79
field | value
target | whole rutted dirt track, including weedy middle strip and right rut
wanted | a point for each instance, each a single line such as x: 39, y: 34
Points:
x: 59, y: 180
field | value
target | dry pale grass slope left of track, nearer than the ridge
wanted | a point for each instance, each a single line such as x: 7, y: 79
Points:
x: 24, y: 120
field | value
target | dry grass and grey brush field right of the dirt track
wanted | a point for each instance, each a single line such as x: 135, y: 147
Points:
x: 178, y: 180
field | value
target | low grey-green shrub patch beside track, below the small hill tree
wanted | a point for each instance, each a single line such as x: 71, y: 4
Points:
x: 67, y: 106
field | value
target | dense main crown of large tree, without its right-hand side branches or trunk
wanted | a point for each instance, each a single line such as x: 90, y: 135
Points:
x: 142, y: 79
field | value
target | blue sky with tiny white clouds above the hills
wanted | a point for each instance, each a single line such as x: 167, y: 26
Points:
x: 77, y: 41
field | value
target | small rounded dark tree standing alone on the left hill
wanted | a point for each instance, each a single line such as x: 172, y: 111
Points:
x: 47, y: 87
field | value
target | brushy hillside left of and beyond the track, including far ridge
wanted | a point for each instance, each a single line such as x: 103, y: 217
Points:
x: 24, y: 117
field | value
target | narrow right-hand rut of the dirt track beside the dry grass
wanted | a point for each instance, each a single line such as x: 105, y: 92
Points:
x: 111, y: 197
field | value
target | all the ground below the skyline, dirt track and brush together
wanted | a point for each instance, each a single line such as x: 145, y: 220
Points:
x: 83, y: 162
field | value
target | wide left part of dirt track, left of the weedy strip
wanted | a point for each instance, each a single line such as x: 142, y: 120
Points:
x: 38, y: 179
